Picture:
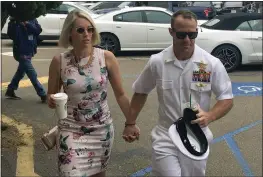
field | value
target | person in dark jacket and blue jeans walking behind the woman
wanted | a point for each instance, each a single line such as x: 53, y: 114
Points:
x: 24, y: 36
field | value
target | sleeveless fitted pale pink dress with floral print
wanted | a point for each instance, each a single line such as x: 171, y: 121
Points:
x: 86, y: 135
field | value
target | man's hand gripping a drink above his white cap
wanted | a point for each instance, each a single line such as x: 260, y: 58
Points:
x: 203, y: 118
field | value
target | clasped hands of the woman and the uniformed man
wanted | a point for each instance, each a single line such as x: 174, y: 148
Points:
x: 131, y: 133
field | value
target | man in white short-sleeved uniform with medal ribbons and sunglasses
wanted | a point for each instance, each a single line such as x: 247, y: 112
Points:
x: 176, y: 72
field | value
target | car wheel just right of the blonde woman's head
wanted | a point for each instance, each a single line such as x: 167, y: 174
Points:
x: 110, y: 42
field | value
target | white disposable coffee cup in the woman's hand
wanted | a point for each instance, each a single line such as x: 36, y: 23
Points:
x: 61, y: 100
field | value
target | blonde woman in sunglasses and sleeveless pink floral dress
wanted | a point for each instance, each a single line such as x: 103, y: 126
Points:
x: 86, y: 135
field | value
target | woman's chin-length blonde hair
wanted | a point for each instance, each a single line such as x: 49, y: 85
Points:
x: 64, y: 39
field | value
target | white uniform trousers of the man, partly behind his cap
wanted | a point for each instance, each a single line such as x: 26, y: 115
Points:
x: 167, y: 160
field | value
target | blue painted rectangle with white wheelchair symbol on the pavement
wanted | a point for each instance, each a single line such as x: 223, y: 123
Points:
x: 247, y: 88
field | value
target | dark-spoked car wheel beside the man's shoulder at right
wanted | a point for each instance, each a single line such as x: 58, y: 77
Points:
x: 229, y: 56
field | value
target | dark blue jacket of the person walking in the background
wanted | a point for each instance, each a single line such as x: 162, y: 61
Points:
x: 24, y: 37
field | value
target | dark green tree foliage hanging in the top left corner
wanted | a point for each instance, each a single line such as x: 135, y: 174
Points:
x: 25, y: 10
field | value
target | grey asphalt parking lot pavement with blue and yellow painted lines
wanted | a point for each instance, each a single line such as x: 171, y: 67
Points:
x: 237, y: 145
